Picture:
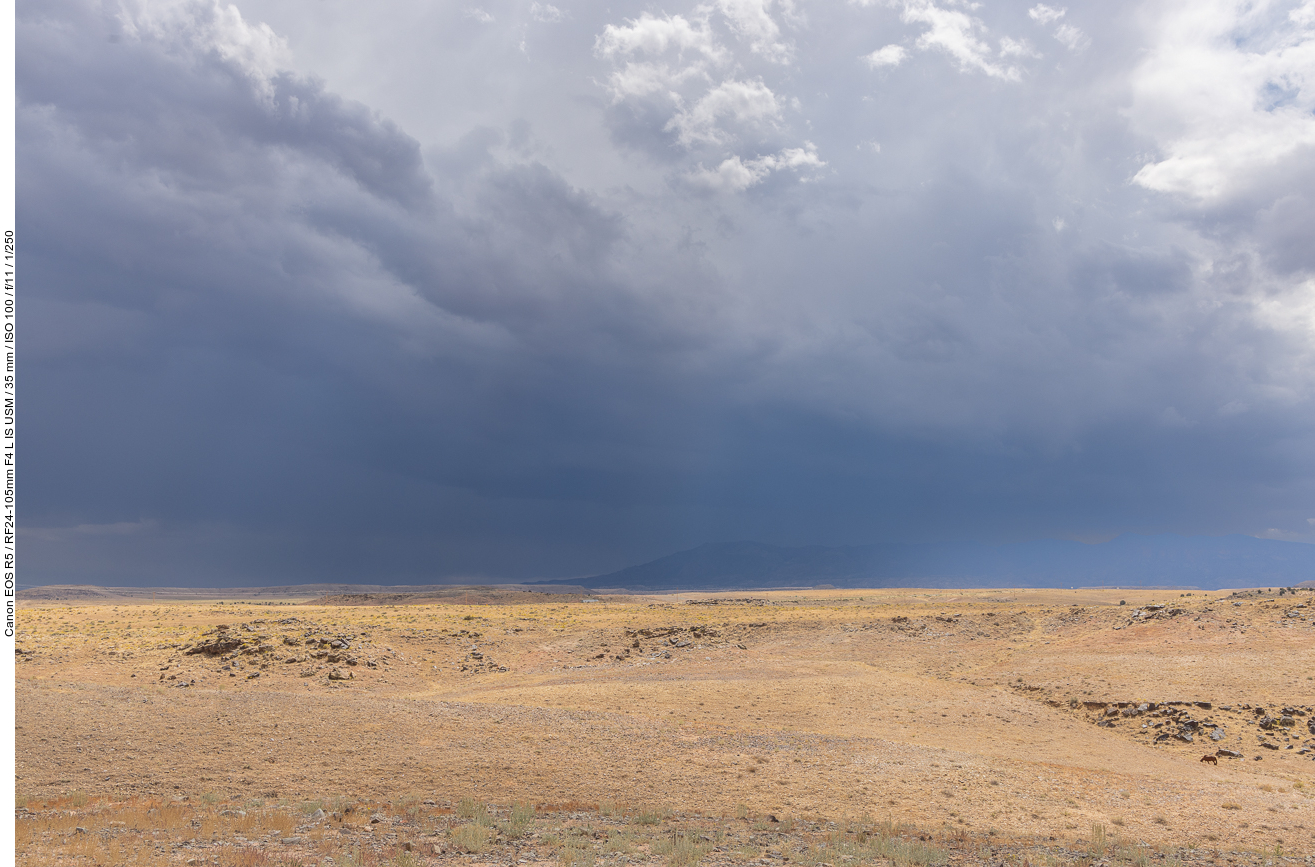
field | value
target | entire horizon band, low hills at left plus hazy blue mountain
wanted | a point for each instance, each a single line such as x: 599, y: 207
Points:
x: 1160, y: 562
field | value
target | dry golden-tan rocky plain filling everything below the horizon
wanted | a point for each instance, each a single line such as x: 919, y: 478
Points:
x: 984, y: 726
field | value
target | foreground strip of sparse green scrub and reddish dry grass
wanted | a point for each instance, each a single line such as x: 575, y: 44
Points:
x: 418, y: 831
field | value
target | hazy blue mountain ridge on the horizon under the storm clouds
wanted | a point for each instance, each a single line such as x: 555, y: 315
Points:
x: 1130, y: 560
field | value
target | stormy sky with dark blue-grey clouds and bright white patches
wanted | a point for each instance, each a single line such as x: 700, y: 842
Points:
x: 421, y: 291
